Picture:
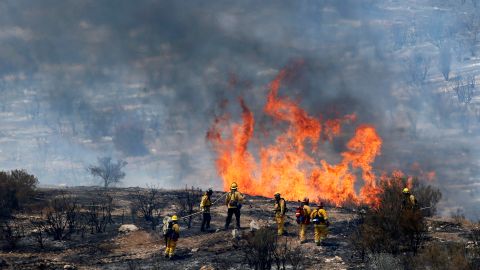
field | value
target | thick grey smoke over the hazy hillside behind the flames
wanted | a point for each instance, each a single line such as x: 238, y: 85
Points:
x: 143, y: 80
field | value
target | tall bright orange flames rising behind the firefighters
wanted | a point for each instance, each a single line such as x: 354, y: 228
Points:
x: 290, y: 164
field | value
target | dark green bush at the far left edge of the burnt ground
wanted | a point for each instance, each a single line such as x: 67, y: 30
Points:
x: 16, y: 188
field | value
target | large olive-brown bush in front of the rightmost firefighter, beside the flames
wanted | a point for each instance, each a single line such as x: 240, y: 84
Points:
x: 391, y: 229
